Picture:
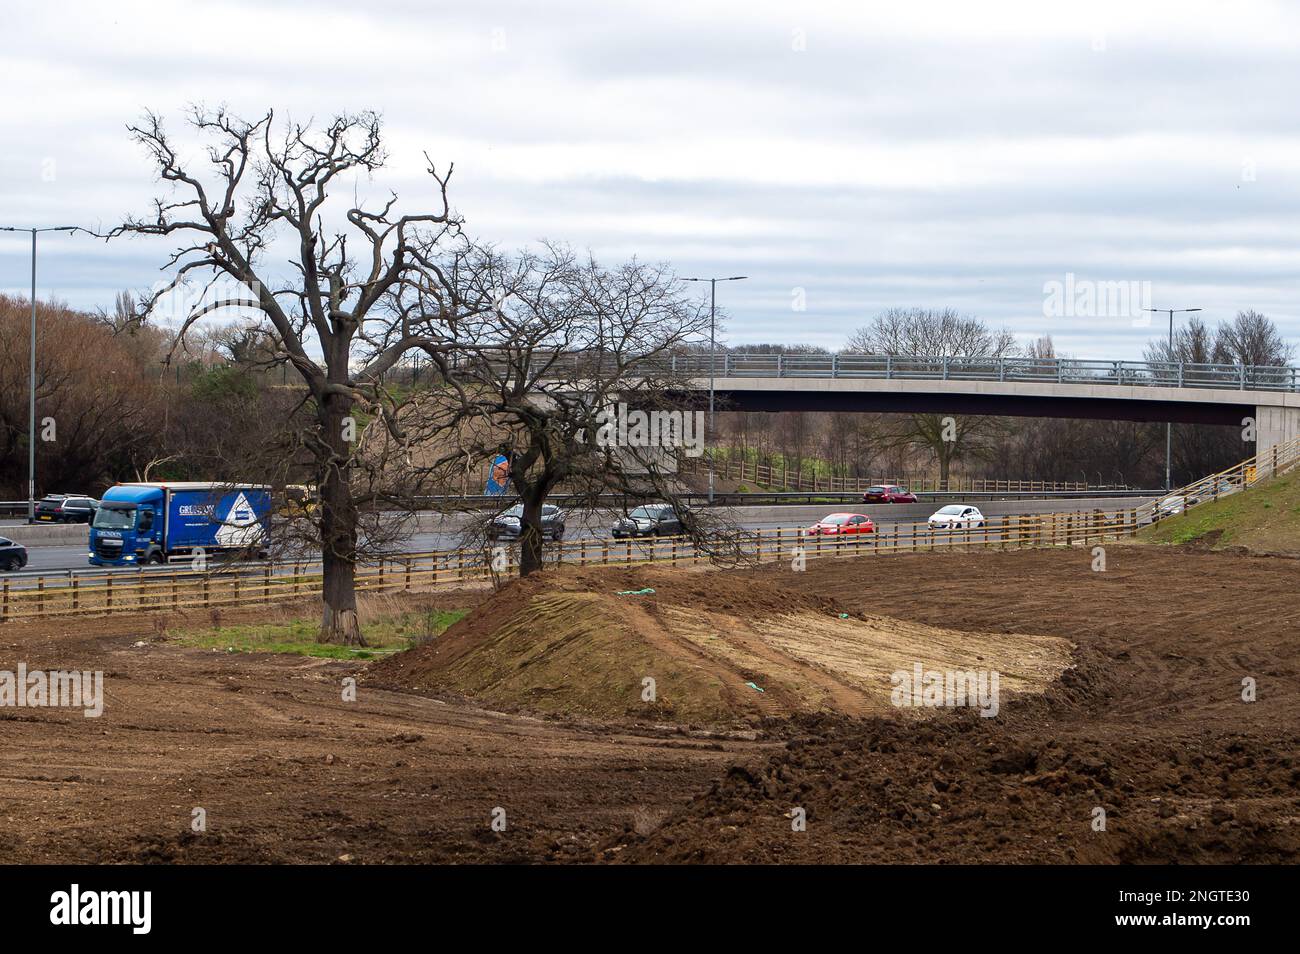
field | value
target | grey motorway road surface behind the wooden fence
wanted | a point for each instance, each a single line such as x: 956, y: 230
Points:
x: 444, y: 532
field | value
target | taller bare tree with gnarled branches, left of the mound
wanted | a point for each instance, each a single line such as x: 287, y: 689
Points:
x: 337, y: 316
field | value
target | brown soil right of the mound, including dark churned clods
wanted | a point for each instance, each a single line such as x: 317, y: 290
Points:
x: 1150, y: 726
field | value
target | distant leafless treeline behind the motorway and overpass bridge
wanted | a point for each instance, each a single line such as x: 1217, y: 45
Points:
x: 114, y: 405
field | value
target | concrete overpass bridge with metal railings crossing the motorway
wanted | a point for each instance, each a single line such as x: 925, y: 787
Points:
x: 1013, y: 387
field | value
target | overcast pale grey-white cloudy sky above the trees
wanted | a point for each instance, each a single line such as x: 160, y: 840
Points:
x: 848, y: 157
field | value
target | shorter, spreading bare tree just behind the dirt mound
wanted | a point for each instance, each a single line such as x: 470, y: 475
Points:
x: 570, y: 348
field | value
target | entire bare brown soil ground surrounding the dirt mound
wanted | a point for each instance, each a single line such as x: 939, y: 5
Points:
x: 1149, y: 725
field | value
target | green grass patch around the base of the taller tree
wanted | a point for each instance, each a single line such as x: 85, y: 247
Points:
x: 385, y: 635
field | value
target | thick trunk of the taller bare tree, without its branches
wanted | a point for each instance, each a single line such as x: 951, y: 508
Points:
x: 339, y: 536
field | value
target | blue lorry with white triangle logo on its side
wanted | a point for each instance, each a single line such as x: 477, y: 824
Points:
x: 176, y: 521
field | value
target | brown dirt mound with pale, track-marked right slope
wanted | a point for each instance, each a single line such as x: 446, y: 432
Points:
x: 697, y: 648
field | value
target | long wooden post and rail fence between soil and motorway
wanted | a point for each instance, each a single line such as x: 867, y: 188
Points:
x: 24, y: 599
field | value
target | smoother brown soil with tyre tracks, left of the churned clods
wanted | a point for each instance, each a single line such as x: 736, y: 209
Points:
x: 289, y: 773
